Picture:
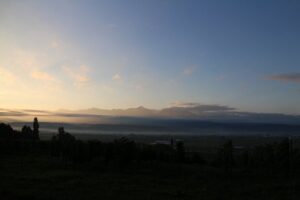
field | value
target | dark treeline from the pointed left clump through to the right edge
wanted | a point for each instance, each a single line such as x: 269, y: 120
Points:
x: 275, y: 158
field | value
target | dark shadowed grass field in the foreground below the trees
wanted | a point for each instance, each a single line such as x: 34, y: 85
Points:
x: 41, y: 177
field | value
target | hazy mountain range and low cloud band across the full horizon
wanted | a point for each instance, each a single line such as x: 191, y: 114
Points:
x: 215, y: 113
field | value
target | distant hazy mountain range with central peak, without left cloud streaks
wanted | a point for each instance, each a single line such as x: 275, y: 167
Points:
x: 199, y: 112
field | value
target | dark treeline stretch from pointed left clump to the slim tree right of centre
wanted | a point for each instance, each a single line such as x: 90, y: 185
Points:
x: 123, y: 150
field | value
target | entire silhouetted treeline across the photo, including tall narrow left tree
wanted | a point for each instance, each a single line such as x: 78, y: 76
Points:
x: 277, y: 158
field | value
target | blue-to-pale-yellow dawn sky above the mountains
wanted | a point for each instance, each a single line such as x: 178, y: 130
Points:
x: 68, y: 54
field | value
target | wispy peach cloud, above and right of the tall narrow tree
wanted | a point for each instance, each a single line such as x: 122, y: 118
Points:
x: 78, y: 75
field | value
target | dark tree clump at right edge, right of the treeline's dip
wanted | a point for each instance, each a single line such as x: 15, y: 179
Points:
x: 277, y: 157
